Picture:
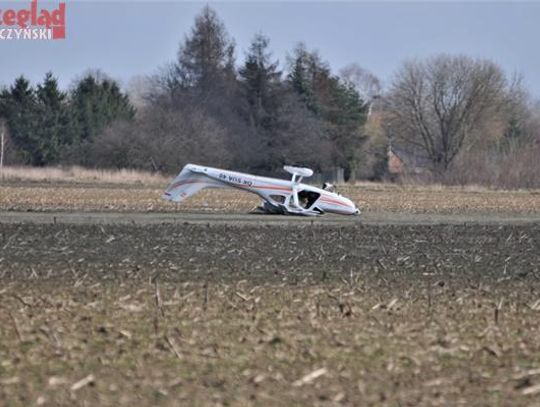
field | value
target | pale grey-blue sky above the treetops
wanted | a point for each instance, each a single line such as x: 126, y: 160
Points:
x: 126, y: 39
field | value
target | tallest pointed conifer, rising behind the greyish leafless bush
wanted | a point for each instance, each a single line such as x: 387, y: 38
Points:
x: 204, y: 80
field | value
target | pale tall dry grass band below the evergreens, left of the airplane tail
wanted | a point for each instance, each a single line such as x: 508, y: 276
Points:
x: 78, y: 175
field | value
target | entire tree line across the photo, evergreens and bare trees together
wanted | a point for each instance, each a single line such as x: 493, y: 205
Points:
x: 205, y: 107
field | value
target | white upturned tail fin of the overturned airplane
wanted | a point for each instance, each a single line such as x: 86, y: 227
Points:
x: 188, y: 183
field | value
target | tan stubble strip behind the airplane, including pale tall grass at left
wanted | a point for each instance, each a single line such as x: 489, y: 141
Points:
x: 78, y: 189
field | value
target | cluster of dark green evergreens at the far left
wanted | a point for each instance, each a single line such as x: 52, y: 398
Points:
x: 48, y: 126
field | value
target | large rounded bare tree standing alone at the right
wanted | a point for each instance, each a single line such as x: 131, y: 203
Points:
x: 436, y: 106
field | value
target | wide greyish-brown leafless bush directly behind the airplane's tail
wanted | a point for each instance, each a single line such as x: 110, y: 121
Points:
x: 161, y: 139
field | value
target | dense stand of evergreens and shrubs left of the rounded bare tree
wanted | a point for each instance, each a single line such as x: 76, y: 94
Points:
x: 202, y: 108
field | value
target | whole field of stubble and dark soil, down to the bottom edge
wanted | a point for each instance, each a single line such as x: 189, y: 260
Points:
x: 416, y: 302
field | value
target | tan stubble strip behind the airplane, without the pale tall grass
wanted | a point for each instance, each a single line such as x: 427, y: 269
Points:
x: 368, y: 197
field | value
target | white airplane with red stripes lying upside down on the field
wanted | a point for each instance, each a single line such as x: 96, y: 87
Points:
x: 279, y: 196
